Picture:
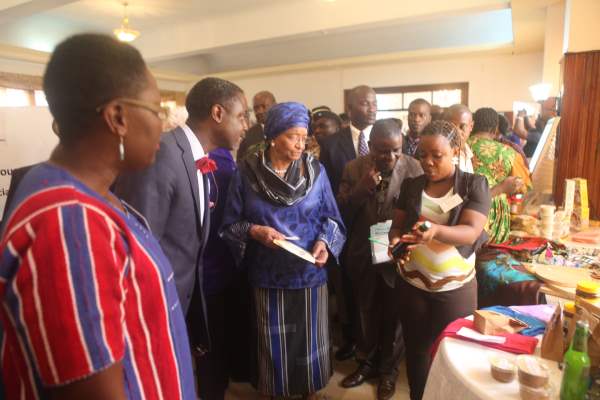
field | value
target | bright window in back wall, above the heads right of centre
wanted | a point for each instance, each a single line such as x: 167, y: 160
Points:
x: 393, y: 102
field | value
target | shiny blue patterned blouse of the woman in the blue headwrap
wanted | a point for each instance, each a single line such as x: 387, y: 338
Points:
x: 315, y: 217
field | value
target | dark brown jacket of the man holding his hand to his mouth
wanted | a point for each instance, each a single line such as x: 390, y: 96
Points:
x: 360, y: 211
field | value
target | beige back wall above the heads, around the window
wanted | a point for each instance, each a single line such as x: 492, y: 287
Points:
x: 495, y: 80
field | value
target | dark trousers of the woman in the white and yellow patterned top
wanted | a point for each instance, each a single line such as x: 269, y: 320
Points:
x: 424, y: 316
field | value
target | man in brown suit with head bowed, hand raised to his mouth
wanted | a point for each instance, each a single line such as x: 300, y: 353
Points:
x: 370, y: 187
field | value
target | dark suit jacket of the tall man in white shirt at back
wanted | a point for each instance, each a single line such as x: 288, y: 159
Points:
x: 336, y: 151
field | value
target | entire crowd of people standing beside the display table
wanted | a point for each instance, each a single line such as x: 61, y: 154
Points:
x: 141, y: 264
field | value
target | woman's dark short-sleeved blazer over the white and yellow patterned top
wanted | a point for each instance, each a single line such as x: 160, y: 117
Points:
x: 474, y: 191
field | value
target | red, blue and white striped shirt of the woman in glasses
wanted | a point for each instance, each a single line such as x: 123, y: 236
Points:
x: 83, y: 286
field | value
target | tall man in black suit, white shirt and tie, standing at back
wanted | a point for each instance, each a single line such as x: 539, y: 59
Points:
x: 336, y: 151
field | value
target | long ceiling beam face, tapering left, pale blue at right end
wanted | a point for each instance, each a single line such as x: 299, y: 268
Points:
x: 492, y: 28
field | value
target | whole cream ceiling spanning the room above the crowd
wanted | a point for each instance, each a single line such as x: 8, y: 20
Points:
x: 206, y: 36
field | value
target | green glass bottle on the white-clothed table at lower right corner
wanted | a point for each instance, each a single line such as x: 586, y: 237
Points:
x: 576, y: 369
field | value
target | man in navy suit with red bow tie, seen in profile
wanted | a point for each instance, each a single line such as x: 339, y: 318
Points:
x: 173, y: 194
